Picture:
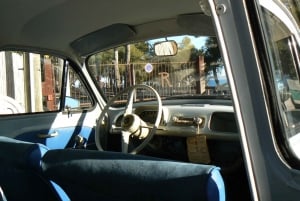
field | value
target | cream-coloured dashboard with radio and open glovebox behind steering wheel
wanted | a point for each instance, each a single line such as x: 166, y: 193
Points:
x: 213, y: 121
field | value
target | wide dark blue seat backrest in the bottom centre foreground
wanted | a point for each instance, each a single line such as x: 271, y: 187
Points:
x: 96, y: 175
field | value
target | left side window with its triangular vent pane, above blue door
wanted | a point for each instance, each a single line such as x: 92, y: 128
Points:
x: 31, y: 83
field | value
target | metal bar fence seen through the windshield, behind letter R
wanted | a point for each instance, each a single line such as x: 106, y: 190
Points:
x: 168, y: 78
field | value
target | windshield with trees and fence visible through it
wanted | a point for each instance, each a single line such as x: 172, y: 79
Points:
x: 195, y: 70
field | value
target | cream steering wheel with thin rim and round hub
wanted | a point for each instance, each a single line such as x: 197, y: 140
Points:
x: 132, y: 126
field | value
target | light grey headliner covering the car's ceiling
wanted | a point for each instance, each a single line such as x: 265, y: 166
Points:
x: 54, y: 25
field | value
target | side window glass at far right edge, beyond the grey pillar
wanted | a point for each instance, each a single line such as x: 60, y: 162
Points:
x: 284, y: 57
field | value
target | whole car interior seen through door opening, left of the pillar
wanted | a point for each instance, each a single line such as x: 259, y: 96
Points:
x: 136, y: 106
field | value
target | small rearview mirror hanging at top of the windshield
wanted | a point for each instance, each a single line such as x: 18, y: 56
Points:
x: 165, y: 48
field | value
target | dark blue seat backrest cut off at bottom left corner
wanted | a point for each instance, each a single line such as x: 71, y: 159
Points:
x: 20, y: 172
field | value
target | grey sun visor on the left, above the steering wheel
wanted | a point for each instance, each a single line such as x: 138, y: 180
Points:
x: 106, y: 37
